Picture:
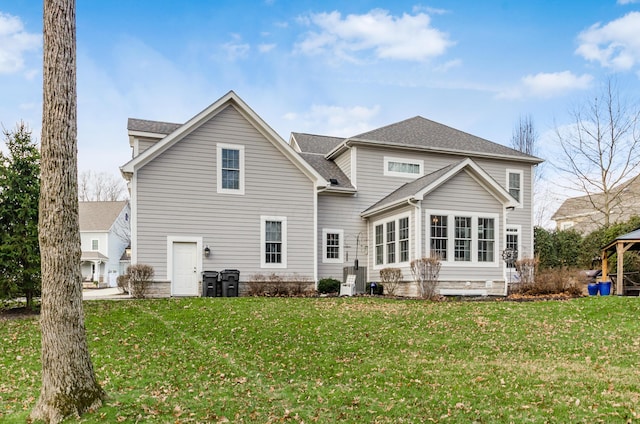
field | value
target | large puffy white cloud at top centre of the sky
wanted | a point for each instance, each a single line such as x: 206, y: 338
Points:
x: 406, y: 37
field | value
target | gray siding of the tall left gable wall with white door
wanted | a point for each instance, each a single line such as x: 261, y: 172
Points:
x: 177, y: 196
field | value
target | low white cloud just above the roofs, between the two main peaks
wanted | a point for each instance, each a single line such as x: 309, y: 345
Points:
x: 335, y: 120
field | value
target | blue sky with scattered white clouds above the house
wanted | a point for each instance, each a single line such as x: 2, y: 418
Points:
x: 329, y: 67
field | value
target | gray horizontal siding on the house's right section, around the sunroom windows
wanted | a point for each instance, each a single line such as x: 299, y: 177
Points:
x: 344, y: 212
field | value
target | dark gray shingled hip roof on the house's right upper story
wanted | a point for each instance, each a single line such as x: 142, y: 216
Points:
x: 424, y: 134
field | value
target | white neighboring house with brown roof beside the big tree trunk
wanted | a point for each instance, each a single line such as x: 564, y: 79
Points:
x: 104, y: 234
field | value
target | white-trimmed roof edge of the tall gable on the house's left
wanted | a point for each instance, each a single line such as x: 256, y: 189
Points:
x: 231, y: 99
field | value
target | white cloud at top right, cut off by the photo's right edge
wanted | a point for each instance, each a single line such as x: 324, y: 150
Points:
x: 614, y: 45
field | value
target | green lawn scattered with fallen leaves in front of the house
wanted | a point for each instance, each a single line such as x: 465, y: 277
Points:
x: 347, y: 360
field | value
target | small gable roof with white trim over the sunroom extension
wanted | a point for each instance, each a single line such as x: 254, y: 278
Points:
x: 420, y: 187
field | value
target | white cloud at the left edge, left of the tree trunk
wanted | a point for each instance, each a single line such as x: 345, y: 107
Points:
x: 15, y: 42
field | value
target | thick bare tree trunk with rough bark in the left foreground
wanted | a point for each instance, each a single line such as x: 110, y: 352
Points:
x: 69, y: 386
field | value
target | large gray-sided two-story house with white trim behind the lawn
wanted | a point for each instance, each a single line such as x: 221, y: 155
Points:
x: 225, y: 183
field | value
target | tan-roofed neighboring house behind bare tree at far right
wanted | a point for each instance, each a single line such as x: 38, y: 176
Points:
x: 584, y: 213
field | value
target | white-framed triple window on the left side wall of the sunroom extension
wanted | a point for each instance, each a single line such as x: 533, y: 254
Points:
x: 392, y: 244
